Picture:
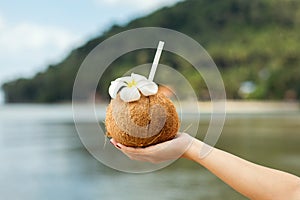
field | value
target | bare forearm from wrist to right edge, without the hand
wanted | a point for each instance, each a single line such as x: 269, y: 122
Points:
x: 251, y: 180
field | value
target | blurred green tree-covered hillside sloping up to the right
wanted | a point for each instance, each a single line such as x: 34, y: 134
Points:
x: 255, y: 44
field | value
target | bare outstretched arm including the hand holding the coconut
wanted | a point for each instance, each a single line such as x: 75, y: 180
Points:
x: 252, y: 180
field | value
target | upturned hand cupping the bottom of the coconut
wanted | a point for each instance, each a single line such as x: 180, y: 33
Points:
x: 169, y: 150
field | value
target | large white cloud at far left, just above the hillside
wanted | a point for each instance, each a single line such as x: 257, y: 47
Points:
x: 27, y: 48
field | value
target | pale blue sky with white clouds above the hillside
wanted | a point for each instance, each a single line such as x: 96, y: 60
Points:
x: 35, y: 33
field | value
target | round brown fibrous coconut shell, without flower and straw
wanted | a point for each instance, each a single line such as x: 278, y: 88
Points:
x: 145, y: 122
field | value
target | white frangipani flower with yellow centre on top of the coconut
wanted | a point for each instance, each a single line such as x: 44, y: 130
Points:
x: 131, y: 86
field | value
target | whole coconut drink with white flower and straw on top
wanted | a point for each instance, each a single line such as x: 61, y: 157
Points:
x: 138, y: 114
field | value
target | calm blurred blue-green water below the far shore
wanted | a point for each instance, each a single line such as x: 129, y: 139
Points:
x: 42, y: 157
